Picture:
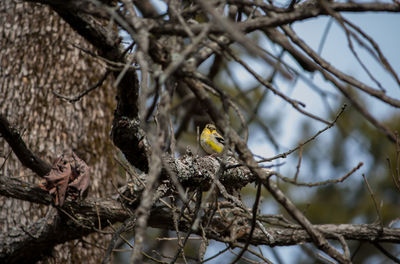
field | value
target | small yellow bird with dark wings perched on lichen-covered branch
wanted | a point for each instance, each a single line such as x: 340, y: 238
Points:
x: 210, y: 140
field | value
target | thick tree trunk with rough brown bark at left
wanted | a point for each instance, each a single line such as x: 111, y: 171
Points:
x: 38, y: 57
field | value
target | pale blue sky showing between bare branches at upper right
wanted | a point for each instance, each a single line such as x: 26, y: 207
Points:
x: 382, y: 27
